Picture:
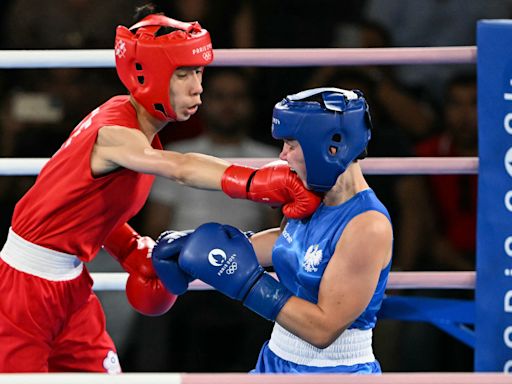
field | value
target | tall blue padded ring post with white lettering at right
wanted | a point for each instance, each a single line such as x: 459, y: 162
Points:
x: 493, y: 350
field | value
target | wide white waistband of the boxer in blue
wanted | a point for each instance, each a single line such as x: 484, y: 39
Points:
x: 353, y: 346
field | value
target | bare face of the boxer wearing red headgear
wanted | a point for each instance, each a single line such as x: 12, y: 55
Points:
x: 185, y: 91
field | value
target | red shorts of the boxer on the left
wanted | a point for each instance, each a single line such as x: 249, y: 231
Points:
x: 52, y: 326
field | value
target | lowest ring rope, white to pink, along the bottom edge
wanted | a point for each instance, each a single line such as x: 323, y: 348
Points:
x: 239, y: 378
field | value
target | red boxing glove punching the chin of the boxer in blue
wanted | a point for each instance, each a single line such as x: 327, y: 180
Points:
x: 274, y: 184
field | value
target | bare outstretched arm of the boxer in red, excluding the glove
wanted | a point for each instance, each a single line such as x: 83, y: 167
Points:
x: 129, y: 148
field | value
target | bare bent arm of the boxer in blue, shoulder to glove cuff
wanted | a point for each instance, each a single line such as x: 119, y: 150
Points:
x: 347, y: 285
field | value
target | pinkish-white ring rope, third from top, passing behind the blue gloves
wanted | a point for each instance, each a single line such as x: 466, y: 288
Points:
x: 116, y: 281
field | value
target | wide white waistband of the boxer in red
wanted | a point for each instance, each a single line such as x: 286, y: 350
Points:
x: 33, y: 259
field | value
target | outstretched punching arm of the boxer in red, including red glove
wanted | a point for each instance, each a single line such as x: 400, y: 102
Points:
x: 275, y: 184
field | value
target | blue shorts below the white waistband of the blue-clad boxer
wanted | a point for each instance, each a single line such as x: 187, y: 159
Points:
x: 269, y: 362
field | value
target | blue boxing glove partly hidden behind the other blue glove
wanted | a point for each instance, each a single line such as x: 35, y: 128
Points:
x: 165, y: 261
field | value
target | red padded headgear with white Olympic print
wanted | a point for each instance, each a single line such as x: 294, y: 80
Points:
x: 145, y: 62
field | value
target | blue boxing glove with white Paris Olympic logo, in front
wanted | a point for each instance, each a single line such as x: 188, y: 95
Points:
x: 222, y: 256
